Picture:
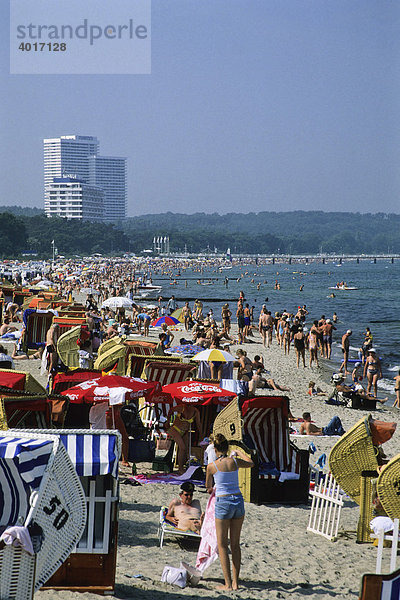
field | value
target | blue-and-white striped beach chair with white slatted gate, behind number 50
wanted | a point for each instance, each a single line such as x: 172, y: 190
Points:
x: 92, y: 564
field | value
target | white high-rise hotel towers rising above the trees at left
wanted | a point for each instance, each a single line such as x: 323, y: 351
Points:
x: 76, y: 156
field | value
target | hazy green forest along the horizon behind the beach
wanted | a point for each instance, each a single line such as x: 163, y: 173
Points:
x: 298, y: 232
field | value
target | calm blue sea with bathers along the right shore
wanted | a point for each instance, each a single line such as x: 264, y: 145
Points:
x: 374, y: 304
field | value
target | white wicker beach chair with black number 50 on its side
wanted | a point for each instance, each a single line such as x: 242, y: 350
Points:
x: 39, y: 486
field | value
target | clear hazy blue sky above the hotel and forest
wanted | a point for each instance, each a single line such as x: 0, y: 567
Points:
x: 251, y: 105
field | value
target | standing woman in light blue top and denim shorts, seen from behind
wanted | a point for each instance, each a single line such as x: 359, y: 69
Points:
x: 229, y: 507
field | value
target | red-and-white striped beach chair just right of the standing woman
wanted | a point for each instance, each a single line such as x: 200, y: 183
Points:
x: 284, y: 474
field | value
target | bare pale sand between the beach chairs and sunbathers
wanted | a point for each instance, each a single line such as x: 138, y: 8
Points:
x: 279, y: 558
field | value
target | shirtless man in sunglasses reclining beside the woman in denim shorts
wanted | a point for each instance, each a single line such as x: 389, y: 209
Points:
x: 184, y: 512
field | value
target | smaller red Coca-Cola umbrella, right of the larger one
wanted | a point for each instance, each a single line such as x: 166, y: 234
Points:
x: 195, y: 392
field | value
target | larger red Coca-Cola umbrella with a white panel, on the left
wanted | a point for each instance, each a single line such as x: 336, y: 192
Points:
x: 115, y: 389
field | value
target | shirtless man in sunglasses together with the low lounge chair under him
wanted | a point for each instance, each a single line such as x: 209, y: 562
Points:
x: 183, y: 516
